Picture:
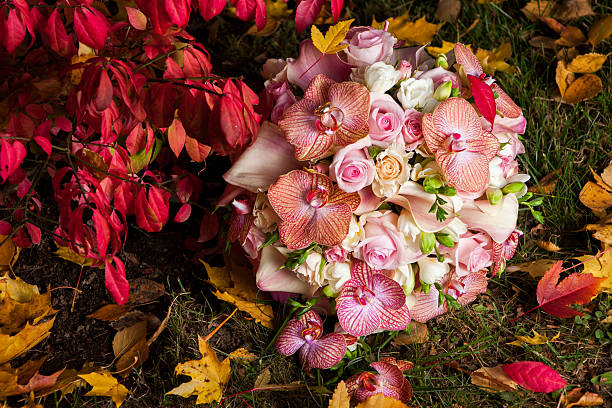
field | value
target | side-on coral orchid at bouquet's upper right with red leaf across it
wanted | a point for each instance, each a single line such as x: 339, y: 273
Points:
x: 484, y: 89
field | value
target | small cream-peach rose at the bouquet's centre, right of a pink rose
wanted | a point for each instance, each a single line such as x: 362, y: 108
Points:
x: 392, y: 170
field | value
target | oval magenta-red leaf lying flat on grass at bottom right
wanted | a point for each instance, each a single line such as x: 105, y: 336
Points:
x: 534, y: 376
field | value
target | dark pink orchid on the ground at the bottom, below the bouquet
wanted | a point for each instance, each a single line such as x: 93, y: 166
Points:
x: 390, y: 381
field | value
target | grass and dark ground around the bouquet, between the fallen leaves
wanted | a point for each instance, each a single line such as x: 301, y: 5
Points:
x: 564, y: 138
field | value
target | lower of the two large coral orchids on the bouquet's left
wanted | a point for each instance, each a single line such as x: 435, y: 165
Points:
x: 312, y: 209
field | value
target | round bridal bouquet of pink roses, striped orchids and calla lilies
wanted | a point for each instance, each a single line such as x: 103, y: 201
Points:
x: 384, y: 180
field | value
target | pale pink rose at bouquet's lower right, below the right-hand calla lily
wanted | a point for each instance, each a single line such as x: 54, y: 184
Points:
x: 472, y: 253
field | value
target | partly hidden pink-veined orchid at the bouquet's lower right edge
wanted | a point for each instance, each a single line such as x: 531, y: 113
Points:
x: 463, y: 289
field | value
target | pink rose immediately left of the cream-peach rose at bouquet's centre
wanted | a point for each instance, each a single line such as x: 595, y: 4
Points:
x: 352, y: 167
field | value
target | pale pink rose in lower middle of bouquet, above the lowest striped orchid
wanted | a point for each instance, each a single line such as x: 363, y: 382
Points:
x: 383, y: 245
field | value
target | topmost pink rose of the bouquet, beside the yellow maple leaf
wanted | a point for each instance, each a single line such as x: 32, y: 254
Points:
x: 367, y: 45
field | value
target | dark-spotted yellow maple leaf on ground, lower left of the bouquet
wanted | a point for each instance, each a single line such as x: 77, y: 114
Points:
x: 208, y: 375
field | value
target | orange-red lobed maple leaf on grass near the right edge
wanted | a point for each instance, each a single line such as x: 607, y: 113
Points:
x: 556, y: 298
